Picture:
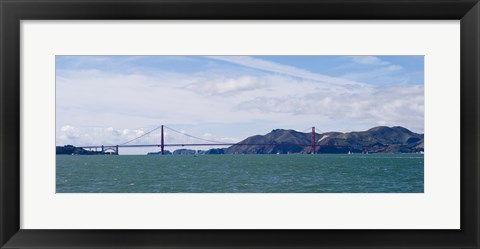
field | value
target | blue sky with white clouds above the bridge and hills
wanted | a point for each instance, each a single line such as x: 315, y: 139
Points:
x: 110, y: 99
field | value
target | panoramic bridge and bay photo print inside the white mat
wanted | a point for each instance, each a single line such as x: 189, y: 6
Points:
x: 226, y: 119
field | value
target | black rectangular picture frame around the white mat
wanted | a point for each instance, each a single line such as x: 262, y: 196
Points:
x: 13, y: 11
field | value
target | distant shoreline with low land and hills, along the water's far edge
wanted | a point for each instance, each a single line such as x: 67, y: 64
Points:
x: 378, y: 140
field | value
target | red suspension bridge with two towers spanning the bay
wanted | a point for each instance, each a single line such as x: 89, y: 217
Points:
x: 138, y: 143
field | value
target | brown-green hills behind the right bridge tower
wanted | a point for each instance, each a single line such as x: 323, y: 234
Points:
x: 380, y: 139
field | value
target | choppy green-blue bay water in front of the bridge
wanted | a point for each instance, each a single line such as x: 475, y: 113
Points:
x: 373, y: 173
